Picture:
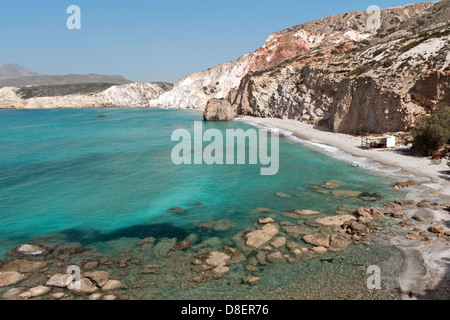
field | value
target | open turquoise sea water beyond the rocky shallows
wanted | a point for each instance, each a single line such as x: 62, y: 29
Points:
x: 99, y: 180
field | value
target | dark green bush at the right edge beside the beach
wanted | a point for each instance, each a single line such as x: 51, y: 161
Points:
x: 433, y: 132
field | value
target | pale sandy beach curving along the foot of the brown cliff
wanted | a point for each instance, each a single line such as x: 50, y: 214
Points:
x: 425, y: 272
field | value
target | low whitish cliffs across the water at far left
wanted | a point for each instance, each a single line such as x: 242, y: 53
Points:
x: 128, y: 95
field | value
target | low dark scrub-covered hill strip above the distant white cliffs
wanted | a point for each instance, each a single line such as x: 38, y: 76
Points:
x: 43, y: 80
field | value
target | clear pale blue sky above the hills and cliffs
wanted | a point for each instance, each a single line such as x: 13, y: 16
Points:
x: 147, y: 40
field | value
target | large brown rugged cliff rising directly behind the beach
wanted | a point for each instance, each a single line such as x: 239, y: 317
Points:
x: 381, y: 84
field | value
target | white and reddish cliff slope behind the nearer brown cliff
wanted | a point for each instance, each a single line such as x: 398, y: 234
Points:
x: 195, y: 90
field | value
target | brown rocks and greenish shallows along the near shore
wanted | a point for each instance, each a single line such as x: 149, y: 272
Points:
x: 40, y: 270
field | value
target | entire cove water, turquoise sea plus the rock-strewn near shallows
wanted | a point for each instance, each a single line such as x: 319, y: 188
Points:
x: 103, y: 194
